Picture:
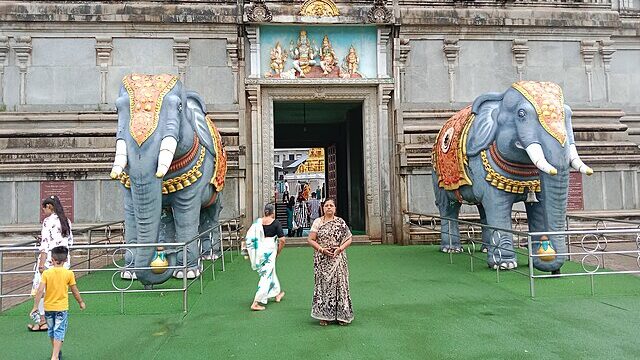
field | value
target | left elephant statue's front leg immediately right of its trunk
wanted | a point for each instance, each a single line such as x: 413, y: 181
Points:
x: 187, y: 219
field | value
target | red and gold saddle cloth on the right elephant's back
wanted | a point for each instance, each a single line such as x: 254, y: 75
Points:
x: 449, y: 151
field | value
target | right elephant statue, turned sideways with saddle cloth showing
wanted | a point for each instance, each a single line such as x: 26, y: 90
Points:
x: 506, y: 148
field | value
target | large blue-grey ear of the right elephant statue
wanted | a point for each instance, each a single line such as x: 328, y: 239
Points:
x: 483, y: 129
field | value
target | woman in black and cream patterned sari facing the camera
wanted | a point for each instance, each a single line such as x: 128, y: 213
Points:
x: 330, y: 237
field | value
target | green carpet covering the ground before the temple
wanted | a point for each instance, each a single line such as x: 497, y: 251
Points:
x: 409, y: 303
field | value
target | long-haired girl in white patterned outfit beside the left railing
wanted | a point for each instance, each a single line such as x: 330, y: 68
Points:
x: 56, y: 231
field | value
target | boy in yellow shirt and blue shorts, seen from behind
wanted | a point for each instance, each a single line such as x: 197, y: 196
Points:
x: 57, y: 281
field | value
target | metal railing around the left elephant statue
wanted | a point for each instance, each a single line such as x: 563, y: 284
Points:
x: 111, y: 247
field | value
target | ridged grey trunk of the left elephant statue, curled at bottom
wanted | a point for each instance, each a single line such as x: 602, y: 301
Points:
x: 147, y: 200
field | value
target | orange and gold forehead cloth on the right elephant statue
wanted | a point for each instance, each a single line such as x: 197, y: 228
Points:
x: 546, y: 97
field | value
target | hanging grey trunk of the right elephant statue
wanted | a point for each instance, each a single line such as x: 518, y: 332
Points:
x: 553, y: 199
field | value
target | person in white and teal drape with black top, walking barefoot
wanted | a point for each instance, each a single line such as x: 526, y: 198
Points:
x: 265, y: 240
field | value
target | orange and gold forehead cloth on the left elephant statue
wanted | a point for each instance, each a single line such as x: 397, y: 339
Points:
x: 146, y: 93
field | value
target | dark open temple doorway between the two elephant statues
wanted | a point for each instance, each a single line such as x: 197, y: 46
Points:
x: 319, y: 149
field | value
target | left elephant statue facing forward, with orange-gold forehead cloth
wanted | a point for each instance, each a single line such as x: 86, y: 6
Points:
x: 172, y: 165
